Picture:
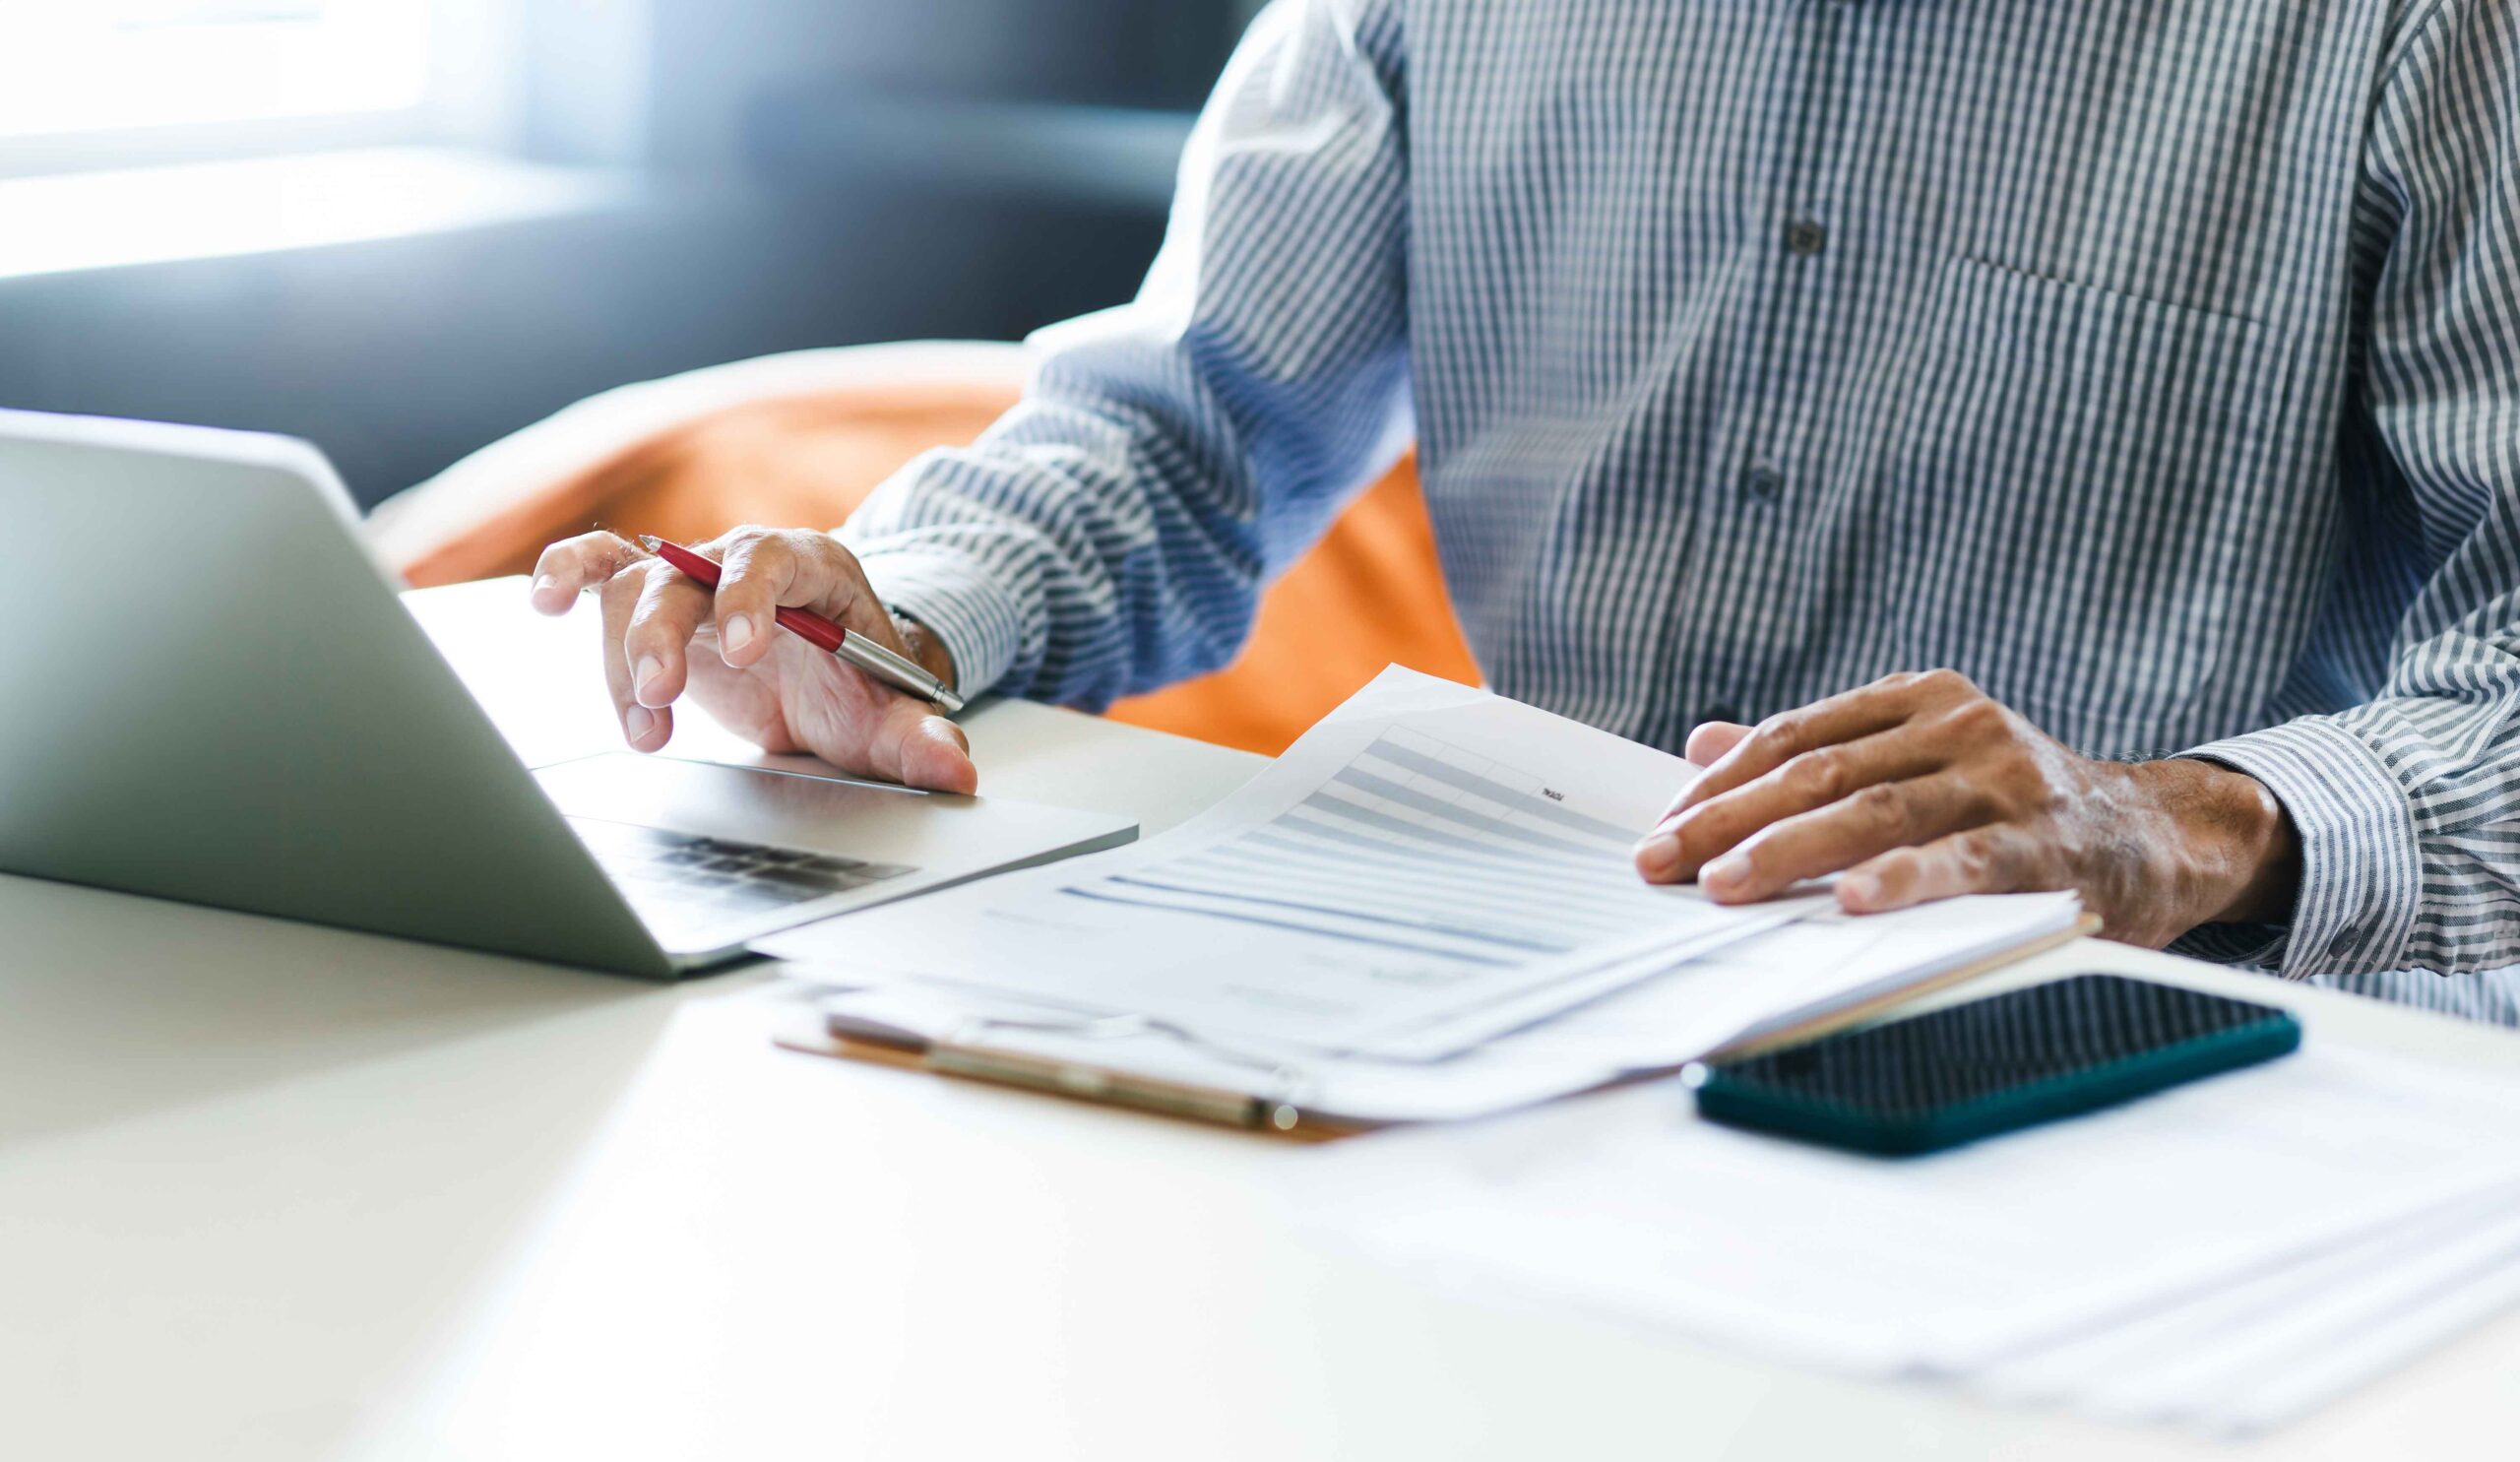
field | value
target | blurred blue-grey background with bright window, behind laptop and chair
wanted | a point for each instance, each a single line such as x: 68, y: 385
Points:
x: 404, y: 228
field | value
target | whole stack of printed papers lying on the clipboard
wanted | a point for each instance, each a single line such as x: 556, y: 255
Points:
x: 1428, y: 909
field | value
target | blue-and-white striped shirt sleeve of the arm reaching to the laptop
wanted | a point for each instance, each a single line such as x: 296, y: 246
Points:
x: 1168, y: 458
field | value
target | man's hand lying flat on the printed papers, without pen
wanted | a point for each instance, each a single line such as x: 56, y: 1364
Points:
x: 1924, y: 788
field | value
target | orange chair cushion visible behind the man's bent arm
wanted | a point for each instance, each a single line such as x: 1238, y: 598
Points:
x: 1367, y: 596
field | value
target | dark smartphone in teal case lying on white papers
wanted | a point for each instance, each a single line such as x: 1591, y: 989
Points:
x: 1995, y: 1065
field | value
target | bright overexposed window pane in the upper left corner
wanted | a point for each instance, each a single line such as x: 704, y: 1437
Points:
x: 92, y: 82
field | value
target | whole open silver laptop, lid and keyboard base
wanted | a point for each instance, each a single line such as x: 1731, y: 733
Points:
x: 215, y: 697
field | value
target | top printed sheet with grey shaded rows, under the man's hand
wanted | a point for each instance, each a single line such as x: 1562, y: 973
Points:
x: 1428, y: 868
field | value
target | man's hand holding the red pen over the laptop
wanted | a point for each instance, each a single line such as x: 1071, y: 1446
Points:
x: 667, y: 634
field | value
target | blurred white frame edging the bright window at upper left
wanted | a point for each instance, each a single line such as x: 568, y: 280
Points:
x: 475, y: 100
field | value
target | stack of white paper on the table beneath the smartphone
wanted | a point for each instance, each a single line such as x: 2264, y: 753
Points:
x: 2224, y: 1257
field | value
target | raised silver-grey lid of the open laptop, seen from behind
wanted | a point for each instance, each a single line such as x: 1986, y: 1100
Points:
x: 220, y: 699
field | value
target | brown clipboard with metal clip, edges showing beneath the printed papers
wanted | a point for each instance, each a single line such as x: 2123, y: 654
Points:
x: 969, y: 1057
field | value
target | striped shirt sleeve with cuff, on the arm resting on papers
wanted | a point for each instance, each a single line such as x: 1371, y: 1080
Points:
x: 2410, y: 805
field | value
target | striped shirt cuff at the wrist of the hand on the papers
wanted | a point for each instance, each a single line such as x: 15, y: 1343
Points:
x: 2362, y: 871
